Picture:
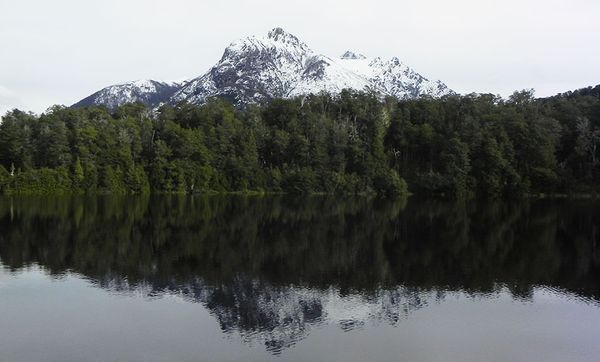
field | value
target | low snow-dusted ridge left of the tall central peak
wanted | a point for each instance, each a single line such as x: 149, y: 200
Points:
x: 150, y: 92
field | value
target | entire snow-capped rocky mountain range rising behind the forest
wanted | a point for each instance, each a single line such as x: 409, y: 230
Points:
x: 278, y: 65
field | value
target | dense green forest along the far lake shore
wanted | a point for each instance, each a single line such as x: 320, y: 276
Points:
x: 354, y: 143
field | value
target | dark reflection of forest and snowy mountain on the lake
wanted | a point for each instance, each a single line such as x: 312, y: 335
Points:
x: 270, y: 269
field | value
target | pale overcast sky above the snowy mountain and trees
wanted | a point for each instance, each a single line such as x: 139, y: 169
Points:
x: 60, y: 51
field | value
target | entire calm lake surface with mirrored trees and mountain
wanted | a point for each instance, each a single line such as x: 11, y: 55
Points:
x: 190, y: 278
